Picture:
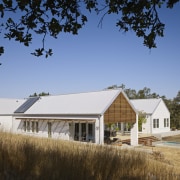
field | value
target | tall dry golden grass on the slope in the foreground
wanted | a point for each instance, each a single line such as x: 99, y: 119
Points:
x: 28, y: 158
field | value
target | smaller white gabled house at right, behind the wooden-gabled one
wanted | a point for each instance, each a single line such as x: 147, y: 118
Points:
x: 157, y: 115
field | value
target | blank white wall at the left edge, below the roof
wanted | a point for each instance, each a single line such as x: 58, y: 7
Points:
x: 6, y: 123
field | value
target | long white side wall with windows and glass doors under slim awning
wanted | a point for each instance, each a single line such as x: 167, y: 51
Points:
x: 77, y: 129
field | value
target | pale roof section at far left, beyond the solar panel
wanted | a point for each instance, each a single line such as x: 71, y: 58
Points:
x: 8, y: 106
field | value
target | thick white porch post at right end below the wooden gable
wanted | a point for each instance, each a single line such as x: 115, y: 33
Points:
x: 134, y: 133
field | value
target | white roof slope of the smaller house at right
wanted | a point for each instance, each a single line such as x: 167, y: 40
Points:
x: 146, y: 105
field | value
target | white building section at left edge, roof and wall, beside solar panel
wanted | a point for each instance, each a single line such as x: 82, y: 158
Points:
x: 7, y: 108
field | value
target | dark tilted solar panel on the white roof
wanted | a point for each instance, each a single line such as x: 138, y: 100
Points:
x: 26, y: 105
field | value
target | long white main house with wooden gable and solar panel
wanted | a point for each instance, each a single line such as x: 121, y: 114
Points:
x: 80, y: 117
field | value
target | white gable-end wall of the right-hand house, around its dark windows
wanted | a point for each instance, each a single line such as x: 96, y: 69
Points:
x: 160, y: 113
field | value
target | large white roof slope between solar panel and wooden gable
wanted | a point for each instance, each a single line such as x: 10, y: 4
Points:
x: 82, y: 103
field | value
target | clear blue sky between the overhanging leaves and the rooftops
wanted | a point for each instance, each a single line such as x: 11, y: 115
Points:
x: 93, y: 60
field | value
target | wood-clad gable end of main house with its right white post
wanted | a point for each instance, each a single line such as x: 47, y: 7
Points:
x: 121, y: 113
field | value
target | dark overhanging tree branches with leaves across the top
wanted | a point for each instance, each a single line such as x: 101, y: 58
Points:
x: 22, y: 19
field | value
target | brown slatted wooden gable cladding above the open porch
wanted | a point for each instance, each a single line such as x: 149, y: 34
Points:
x: 119, y: 111
